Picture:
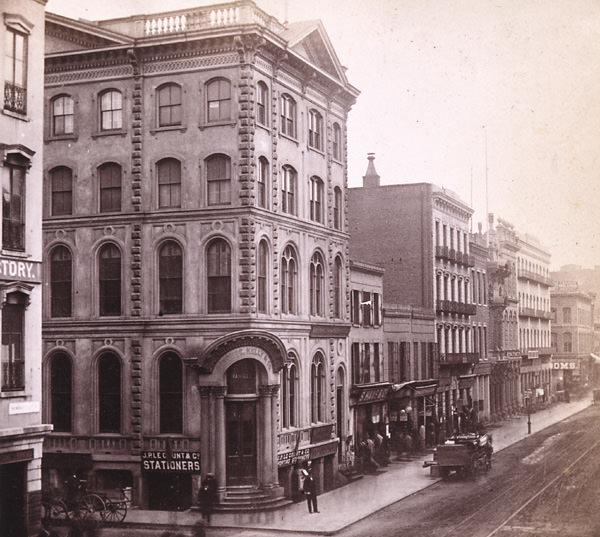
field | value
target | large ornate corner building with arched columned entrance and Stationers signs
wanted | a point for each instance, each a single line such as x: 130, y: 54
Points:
x: 196, y: 253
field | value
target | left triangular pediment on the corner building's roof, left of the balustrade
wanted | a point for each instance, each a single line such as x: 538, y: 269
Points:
x: 69, y: 35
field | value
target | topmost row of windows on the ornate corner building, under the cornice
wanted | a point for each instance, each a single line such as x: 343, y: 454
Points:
x: 169, y: 112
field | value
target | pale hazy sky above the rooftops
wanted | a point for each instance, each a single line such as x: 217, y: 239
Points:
x: 498, y: 101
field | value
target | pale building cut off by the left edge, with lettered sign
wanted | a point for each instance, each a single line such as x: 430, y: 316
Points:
x: 21, y: 174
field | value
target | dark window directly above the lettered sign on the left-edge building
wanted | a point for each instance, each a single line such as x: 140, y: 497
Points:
x: 13, y: 207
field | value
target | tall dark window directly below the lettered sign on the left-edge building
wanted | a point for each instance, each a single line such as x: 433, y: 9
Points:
x: 13, y: 359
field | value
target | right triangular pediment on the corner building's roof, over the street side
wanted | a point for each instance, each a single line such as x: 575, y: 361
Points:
x: 309, y: 40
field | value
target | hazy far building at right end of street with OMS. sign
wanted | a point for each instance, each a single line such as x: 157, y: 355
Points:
x: 573, y: 337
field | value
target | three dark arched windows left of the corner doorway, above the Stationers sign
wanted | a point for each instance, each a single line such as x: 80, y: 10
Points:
x: 108, y: 388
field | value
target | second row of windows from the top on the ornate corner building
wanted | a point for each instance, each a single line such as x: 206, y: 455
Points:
x: 218, y: 188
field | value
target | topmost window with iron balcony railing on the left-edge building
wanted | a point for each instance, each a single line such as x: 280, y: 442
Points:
x: 15, y: 74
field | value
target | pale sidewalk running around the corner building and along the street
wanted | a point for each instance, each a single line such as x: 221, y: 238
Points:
x: 339, y: 507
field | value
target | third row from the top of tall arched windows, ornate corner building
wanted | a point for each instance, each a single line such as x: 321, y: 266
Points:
x: 218, y: 261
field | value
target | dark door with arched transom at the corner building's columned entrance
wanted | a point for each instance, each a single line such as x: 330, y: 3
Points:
x: 241, y: 441
